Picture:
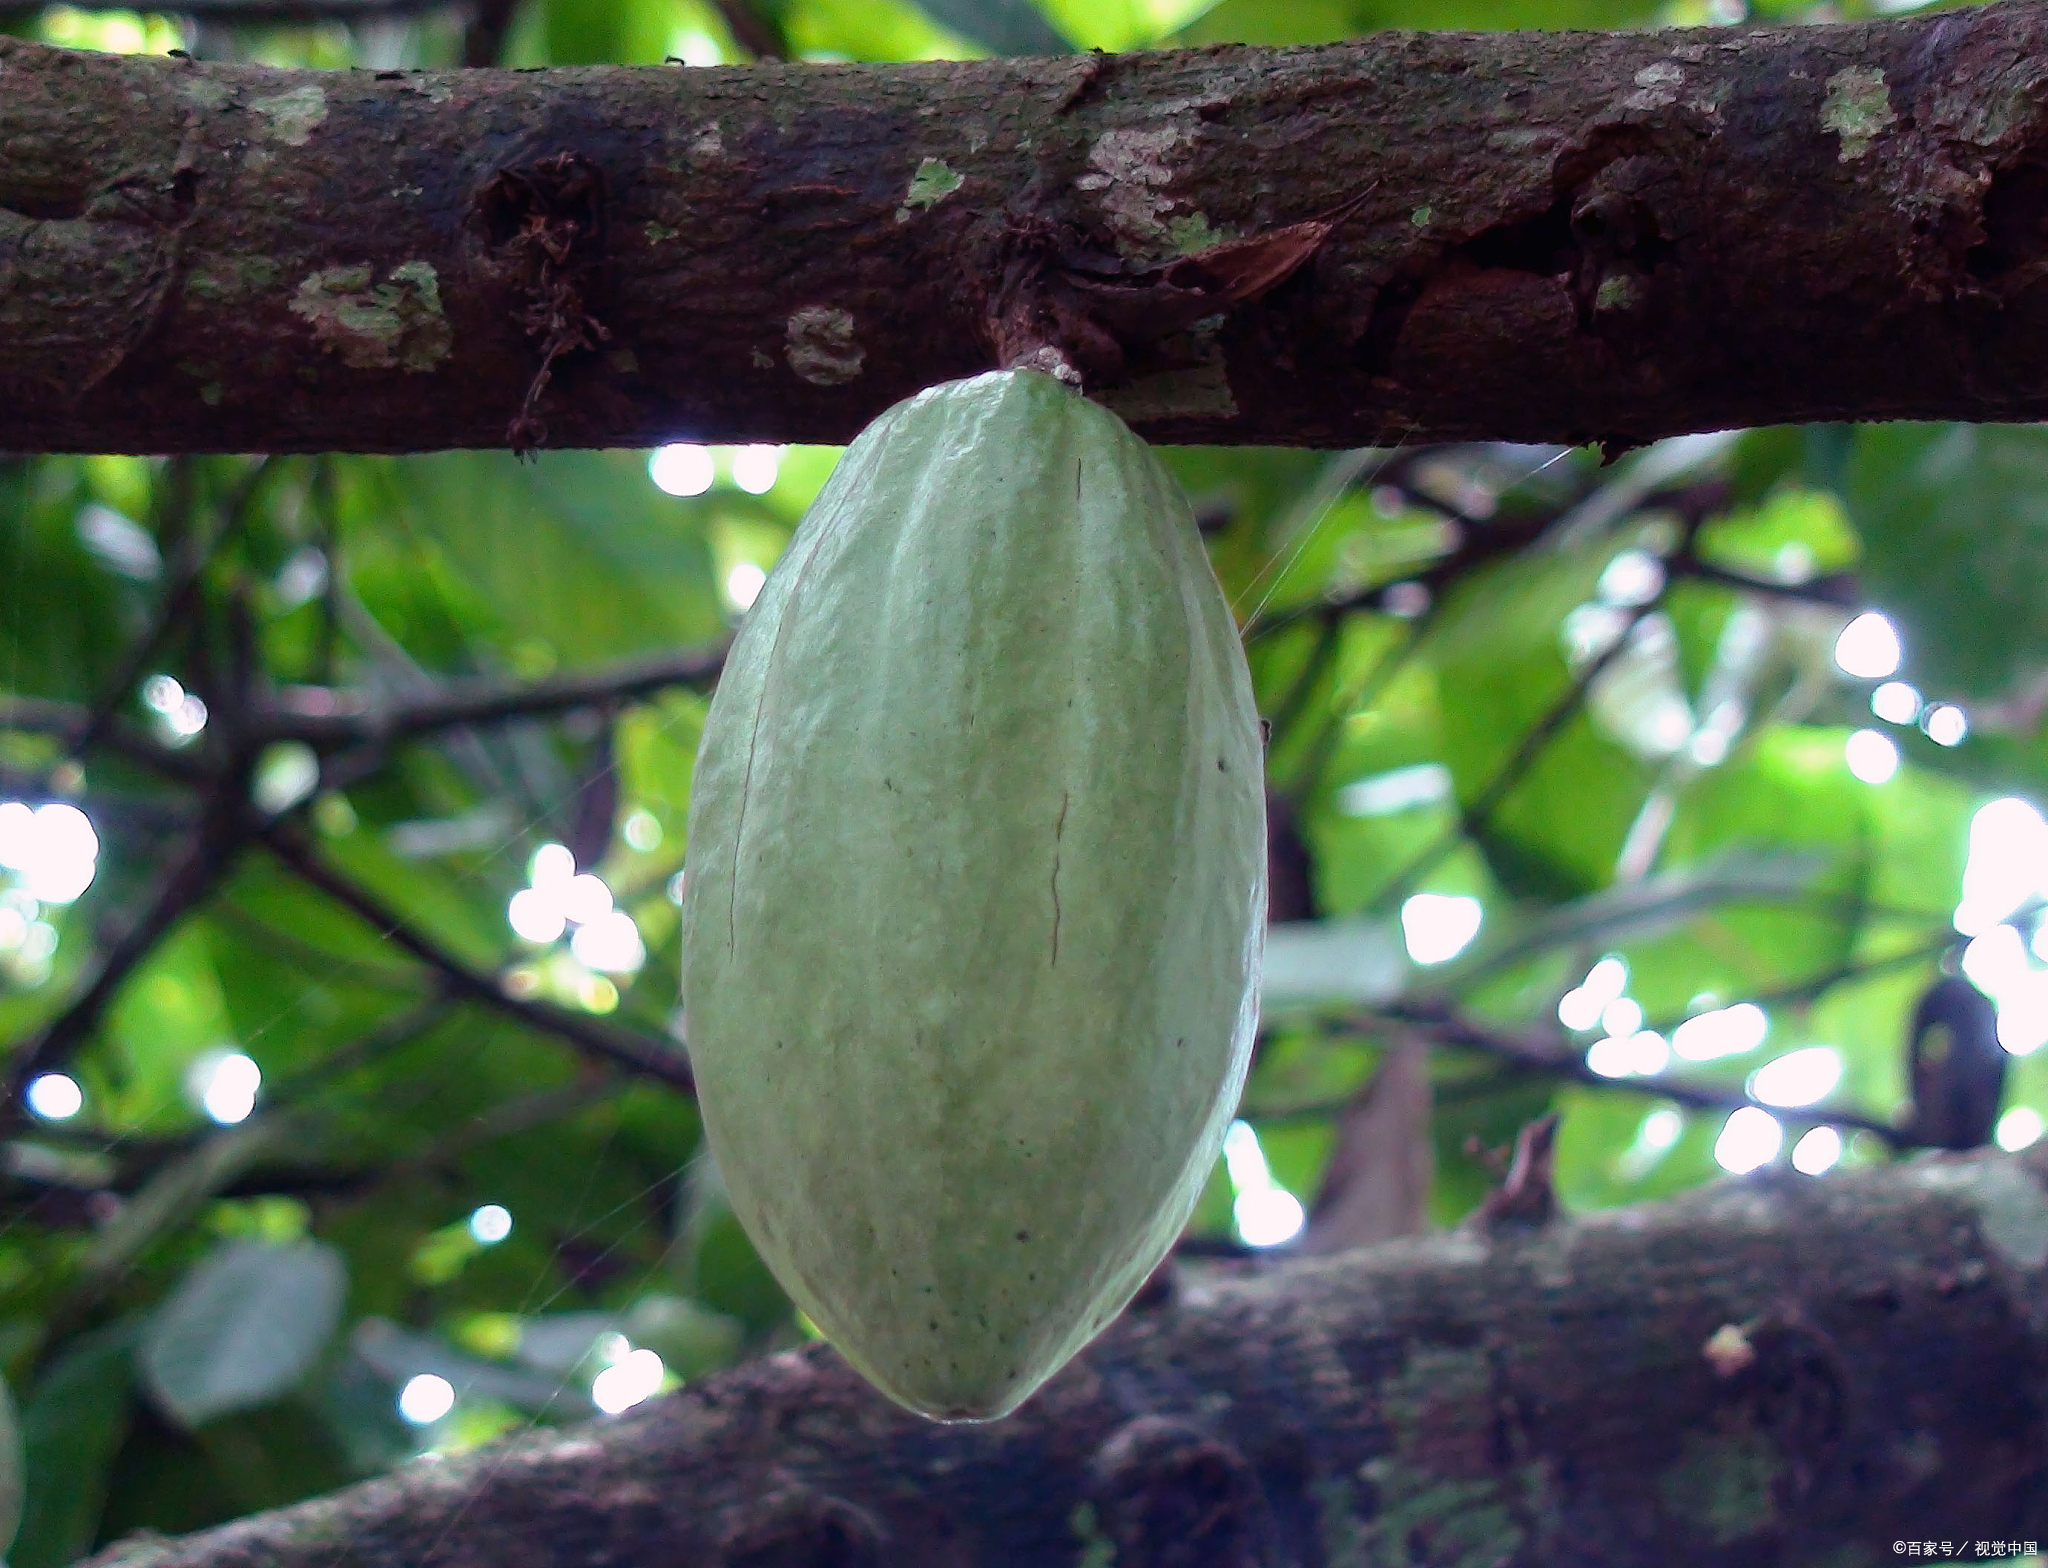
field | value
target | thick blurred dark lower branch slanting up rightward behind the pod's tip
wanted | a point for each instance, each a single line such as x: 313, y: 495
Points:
x: 1762, y: 1373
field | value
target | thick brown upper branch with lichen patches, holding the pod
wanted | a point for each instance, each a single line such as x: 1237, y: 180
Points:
x: 1558, y: 238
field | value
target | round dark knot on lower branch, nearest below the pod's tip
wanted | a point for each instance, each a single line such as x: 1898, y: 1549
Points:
x: 1175, y: 1497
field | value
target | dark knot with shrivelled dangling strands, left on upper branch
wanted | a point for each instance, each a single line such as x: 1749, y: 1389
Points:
x: 544, y: 224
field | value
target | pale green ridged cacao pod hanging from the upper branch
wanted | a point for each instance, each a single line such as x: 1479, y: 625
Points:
x: 978, y: 891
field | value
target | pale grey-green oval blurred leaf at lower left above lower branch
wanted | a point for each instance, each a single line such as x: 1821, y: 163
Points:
x: 243, y: 1327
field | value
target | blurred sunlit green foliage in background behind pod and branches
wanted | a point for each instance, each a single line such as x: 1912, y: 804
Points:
x: 1570, y: 711
